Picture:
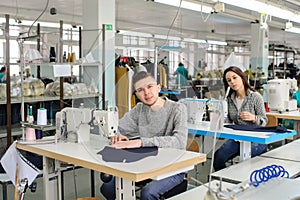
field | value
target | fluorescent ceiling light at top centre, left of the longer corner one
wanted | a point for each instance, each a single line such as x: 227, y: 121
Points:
x: 187, y: 5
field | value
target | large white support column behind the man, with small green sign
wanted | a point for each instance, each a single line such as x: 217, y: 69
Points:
x: 96, y: 13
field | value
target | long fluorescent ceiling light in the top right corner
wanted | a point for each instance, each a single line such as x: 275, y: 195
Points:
x: 261, y: 7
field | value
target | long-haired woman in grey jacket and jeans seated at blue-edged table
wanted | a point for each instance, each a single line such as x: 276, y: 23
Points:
x: 245, y: 107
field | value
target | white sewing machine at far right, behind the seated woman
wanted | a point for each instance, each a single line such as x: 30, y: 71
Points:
x: 278, y: 94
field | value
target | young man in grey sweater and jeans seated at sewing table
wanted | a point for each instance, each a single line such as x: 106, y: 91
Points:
x: 144, y: 119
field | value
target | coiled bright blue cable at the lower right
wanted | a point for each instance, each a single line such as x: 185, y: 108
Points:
x: 266, y: 173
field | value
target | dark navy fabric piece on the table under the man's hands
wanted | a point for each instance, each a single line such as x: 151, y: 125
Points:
x: 110, y: 154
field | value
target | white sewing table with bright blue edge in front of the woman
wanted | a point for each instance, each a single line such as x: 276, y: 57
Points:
x: 245, y: 137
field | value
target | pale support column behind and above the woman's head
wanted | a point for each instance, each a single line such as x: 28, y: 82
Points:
x: 259, y: 48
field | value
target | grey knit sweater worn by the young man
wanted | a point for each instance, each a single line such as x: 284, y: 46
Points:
x: 164, y: 128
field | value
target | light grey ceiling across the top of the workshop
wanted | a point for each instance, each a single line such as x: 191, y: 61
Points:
x: 146, y: 16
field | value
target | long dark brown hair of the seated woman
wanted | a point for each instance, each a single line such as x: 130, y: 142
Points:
x: 240, y: 73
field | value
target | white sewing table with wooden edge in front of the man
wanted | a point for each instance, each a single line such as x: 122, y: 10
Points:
x: 166, y: 163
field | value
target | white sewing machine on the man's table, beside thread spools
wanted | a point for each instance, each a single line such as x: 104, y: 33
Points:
x: 74, y: 124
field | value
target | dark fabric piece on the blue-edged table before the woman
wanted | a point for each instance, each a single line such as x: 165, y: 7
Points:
x: 277, y: 129
